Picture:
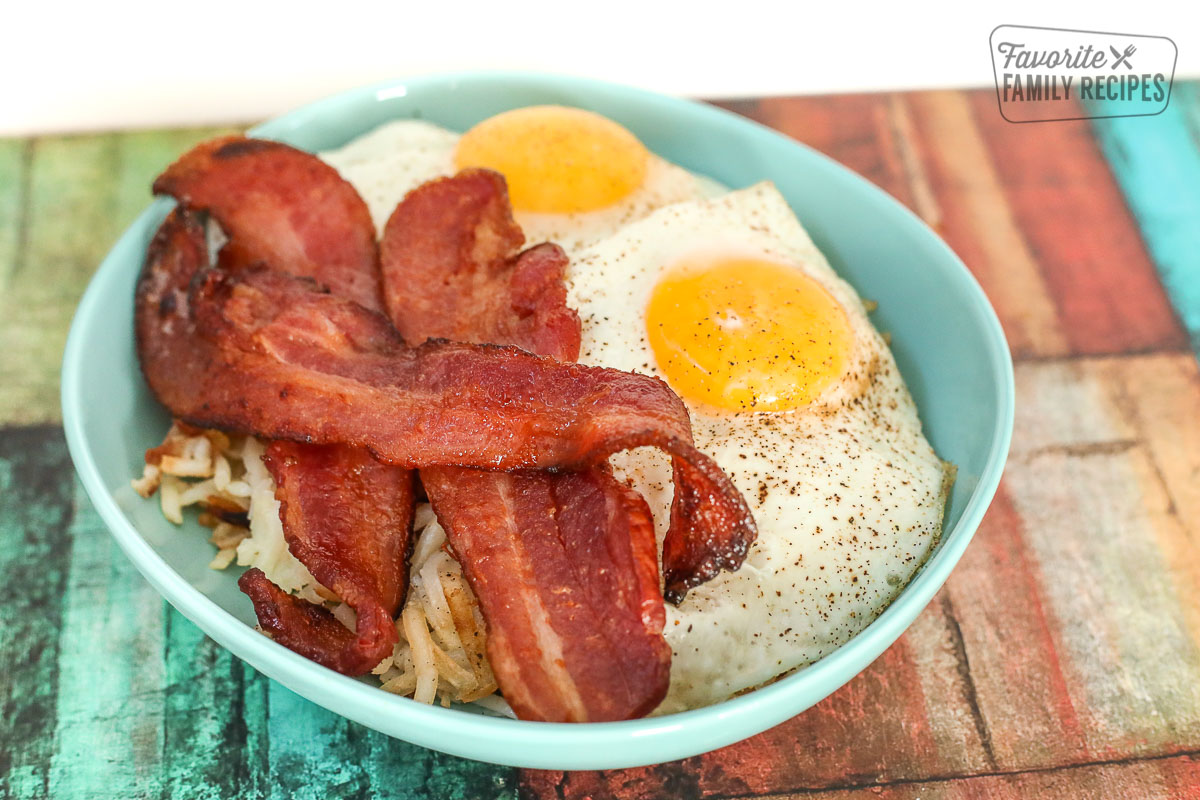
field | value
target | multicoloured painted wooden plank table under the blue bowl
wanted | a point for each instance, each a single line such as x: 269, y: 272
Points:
x: 1061, y: 659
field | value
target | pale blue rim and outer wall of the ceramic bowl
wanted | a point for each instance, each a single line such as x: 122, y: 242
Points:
x: 501, y: 741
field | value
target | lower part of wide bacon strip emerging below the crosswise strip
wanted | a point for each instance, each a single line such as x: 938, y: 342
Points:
x: 566, y: 572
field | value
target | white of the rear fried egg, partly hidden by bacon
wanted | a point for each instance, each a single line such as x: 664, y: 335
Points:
x: 397, y: 158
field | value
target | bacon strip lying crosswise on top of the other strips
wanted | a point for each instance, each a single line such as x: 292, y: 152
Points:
x: 299, y: 364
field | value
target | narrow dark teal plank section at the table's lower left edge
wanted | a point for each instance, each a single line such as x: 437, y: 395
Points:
x: 37, y: 504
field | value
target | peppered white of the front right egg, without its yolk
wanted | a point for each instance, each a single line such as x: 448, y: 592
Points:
x: 848, y: 494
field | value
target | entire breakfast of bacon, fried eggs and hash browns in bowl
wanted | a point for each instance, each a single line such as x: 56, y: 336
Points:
x: 727, y: 377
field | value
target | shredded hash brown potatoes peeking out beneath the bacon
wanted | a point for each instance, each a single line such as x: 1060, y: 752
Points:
x: 442, y: 652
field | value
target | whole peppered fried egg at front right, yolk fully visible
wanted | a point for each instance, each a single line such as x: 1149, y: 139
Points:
x: 799, y: 399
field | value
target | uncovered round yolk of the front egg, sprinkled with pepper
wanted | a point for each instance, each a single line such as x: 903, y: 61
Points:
x: 747, y: 335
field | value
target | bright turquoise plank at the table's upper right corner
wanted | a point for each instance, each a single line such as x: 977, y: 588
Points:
x: 1157, y: 163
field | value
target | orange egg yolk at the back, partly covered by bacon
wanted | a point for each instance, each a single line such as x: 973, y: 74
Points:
x: 557, y: 160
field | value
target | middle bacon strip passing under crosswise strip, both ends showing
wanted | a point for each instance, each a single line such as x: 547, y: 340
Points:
x: 565, y: 567
